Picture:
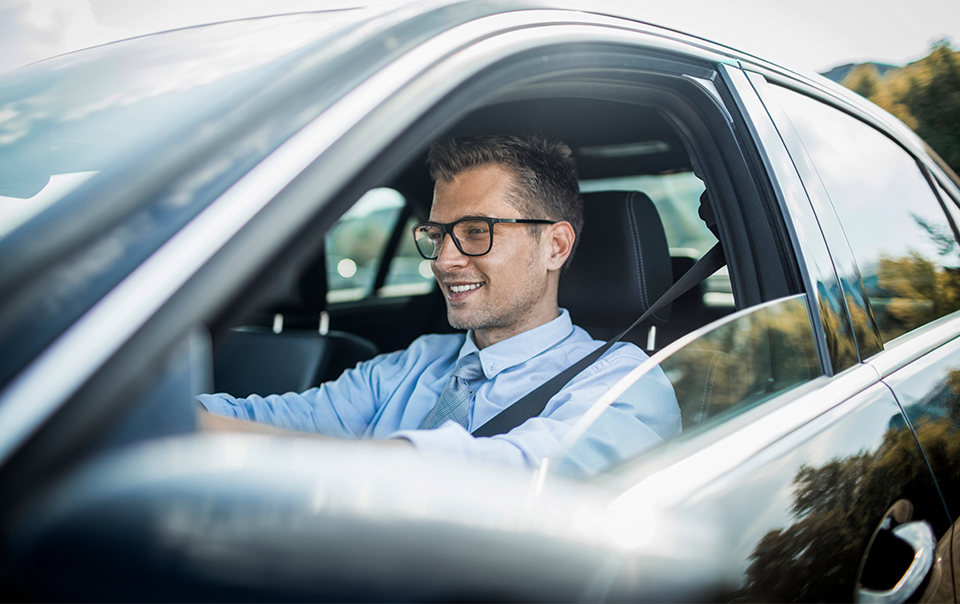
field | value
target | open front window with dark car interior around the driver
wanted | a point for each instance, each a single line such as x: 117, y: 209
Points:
x: 650, y: 129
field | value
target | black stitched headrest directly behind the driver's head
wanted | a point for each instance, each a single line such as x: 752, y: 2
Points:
x: 621, y: 266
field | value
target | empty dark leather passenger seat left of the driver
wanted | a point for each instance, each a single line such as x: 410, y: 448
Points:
x: 254, y: 359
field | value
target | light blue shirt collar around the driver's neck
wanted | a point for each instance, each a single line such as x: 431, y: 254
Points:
x: 519, y: 348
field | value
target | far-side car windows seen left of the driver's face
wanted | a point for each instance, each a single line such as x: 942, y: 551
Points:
x: 358, y: 242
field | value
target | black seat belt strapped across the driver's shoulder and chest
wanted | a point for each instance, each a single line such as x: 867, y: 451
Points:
x: 533, y: 403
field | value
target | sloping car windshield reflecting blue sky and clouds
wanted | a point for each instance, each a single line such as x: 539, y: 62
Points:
x: 64, y: 120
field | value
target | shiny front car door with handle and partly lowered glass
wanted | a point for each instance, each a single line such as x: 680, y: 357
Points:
x: 800, y: 479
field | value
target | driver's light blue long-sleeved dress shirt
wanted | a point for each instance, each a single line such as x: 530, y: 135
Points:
x: 390, y: 395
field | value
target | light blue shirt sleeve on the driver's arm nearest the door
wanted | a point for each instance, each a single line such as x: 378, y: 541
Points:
x: 644, y: 416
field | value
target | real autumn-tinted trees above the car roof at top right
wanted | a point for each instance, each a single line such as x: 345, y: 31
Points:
x: 925, y: 95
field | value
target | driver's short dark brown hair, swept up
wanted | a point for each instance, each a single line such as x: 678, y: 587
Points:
x: 545, y: 174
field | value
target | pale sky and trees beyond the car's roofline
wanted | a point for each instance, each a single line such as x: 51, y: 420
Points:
x: 903, y: 56
